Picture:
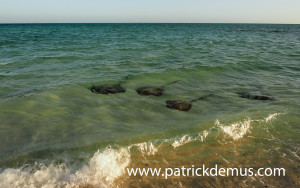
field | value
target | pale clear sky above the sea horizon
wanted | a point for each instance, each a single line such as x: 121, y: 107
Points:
x: 150, y: 11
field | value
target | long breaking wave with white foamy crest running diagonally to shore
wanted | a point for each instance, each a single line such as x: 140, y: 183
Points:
x: 107, y: 165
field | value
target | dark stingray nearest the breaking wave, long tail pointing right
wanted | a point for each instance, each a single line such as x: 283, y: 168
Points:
x: 183, y: 105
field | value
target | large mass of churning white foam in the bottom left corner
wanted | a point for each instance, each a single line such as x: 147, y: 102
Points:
x: 101, y: 171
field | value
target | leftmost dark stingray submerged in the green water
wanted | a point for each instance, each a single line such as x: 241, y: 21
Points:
x: 109, y: 89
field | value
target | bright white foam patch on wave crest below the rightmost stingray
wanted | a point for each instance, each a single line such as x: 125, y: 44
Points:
x: 236, y: 130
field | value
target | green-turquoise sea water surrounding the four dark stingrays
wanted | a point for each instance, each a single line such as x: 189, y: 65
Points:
x: 52, y: 125
